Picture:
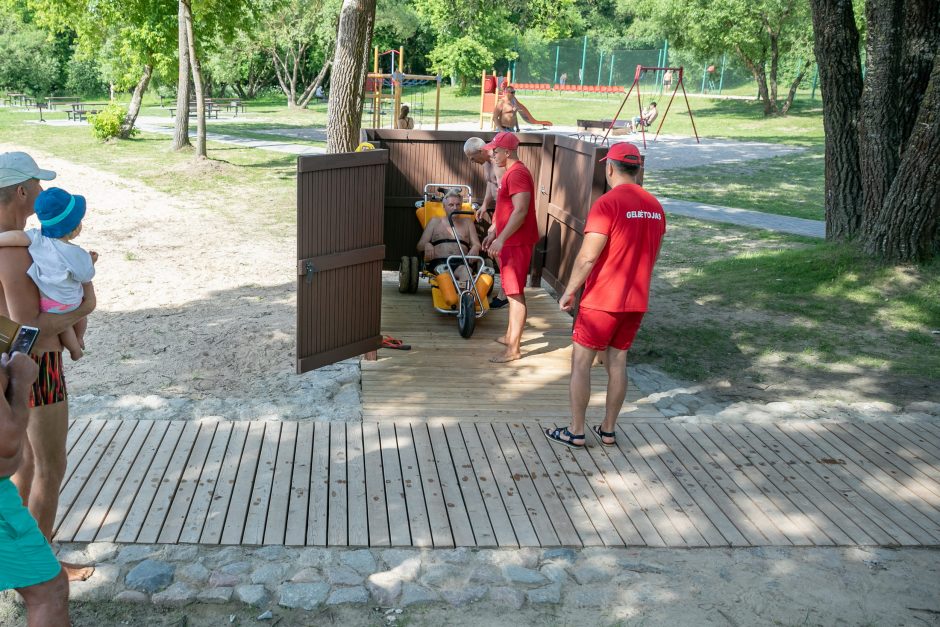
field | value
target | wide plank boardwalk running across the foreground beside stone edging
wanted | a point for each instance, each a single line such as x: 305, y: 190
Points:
x: 439, y: 484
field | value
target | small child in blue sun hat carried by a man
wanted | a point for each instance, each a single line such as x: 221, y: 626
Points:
x: 59, y: 267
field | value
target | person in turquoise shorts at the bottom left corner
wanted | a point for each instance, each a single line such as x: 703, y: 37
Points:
x: 27, y: 563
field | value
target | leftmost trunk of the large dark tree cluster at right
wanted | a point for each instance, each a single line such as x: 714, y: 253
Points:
x: 840, y: 76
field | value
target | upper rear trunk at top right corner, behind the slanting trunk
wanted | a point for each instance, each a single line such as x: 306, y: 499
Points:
x: 921, y: 43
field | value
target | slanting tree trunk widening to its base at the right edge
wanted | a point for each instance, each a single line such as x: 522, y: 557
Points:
x: 907, y: 229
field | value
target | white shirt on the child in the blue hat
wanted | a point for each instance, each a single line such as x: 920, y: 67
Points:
x: 59, y: 268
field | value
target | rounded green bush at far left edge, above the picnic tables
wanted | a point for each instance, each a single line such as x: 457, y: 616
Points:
x: 28, y: 59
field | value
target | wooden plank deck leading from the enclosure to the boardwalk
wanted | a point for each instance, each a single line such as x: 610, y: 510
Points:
x: 447, y: 377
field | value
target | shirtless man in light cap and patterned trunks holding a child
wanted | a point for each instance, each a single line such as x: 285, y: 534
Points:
x: 39, y: 477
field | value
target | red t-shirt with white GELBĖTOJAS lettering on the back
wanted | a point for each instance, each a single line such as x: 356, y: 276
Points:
x: 634, y: 223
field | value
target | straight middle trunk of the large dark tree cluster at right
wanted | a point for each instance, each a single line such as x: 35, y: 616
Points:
x: 879, y: 129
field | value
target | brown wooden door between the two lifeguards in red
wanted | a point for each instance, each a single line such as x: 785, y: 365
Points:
x: 570, y: 180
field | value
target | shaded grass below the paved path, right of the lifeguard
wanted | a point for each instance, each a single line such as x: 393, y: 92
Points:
x: 735, y: 302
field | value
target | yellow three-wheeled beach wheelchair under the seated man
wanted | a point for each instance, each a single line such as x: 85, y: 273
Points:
x: 467, y: 300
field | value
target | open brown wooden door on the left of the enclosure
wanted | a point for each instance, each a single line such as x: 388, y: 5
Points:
x: 340, y: 205
